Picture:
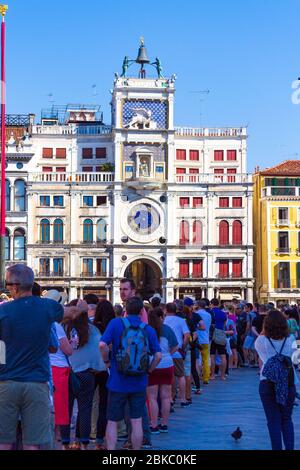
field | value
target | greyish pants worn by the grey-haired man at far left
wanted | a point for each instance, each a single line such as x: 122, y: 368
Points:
x: 29, y: 402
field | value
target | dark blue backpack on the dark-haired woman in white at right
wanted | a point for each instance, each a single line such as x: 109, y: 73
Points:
x: 279, y: 370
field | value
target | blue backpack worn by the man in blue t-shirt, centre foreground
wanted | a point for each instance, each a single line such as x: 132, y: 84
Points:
x: 133, y: 353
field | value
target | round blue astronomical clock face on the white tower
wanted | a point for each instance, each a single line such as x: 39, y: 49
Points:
x: 143, y: 219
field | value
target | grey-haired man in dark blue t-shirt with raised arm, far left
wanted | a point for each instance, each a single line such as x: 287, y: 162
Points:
x: 25, y: 328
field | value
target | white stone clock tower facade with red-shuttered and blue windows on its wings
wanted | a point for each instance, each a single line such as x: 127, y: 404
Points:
x: 132, y: 214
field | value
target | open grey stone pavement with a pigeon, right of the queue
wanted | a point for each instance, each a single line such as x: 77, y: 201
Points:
x: 214, y: 415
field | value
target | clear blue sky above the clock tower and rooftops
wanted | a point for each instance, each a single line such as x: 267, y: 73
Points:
x: 247, y: 53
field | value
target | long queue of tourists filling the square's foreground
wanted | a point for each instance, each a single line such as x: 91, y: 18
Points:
x: 128, y: 366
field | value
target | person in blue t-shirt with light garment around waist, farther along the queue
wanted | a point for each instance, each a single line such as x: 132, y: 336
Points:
x: 220, y: 319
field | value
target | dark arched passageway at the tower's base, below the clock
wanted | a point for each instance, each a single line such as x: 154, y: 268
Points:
x: 147, y: 276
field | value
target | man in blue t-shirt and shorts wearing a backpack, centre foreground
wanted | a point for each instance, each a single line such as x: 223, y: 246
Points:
x: 122, y: 388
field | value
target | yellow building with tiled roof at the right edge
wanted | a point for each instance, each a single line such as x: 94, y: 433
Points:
x: 276, y: 227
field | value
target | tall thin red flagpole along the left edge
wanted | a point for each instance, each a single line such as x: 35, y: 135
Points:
x: 3, y: 10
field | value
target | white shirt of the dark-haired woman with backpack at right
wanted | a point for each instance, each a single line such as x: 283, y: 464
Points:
x: 265, y: 350
